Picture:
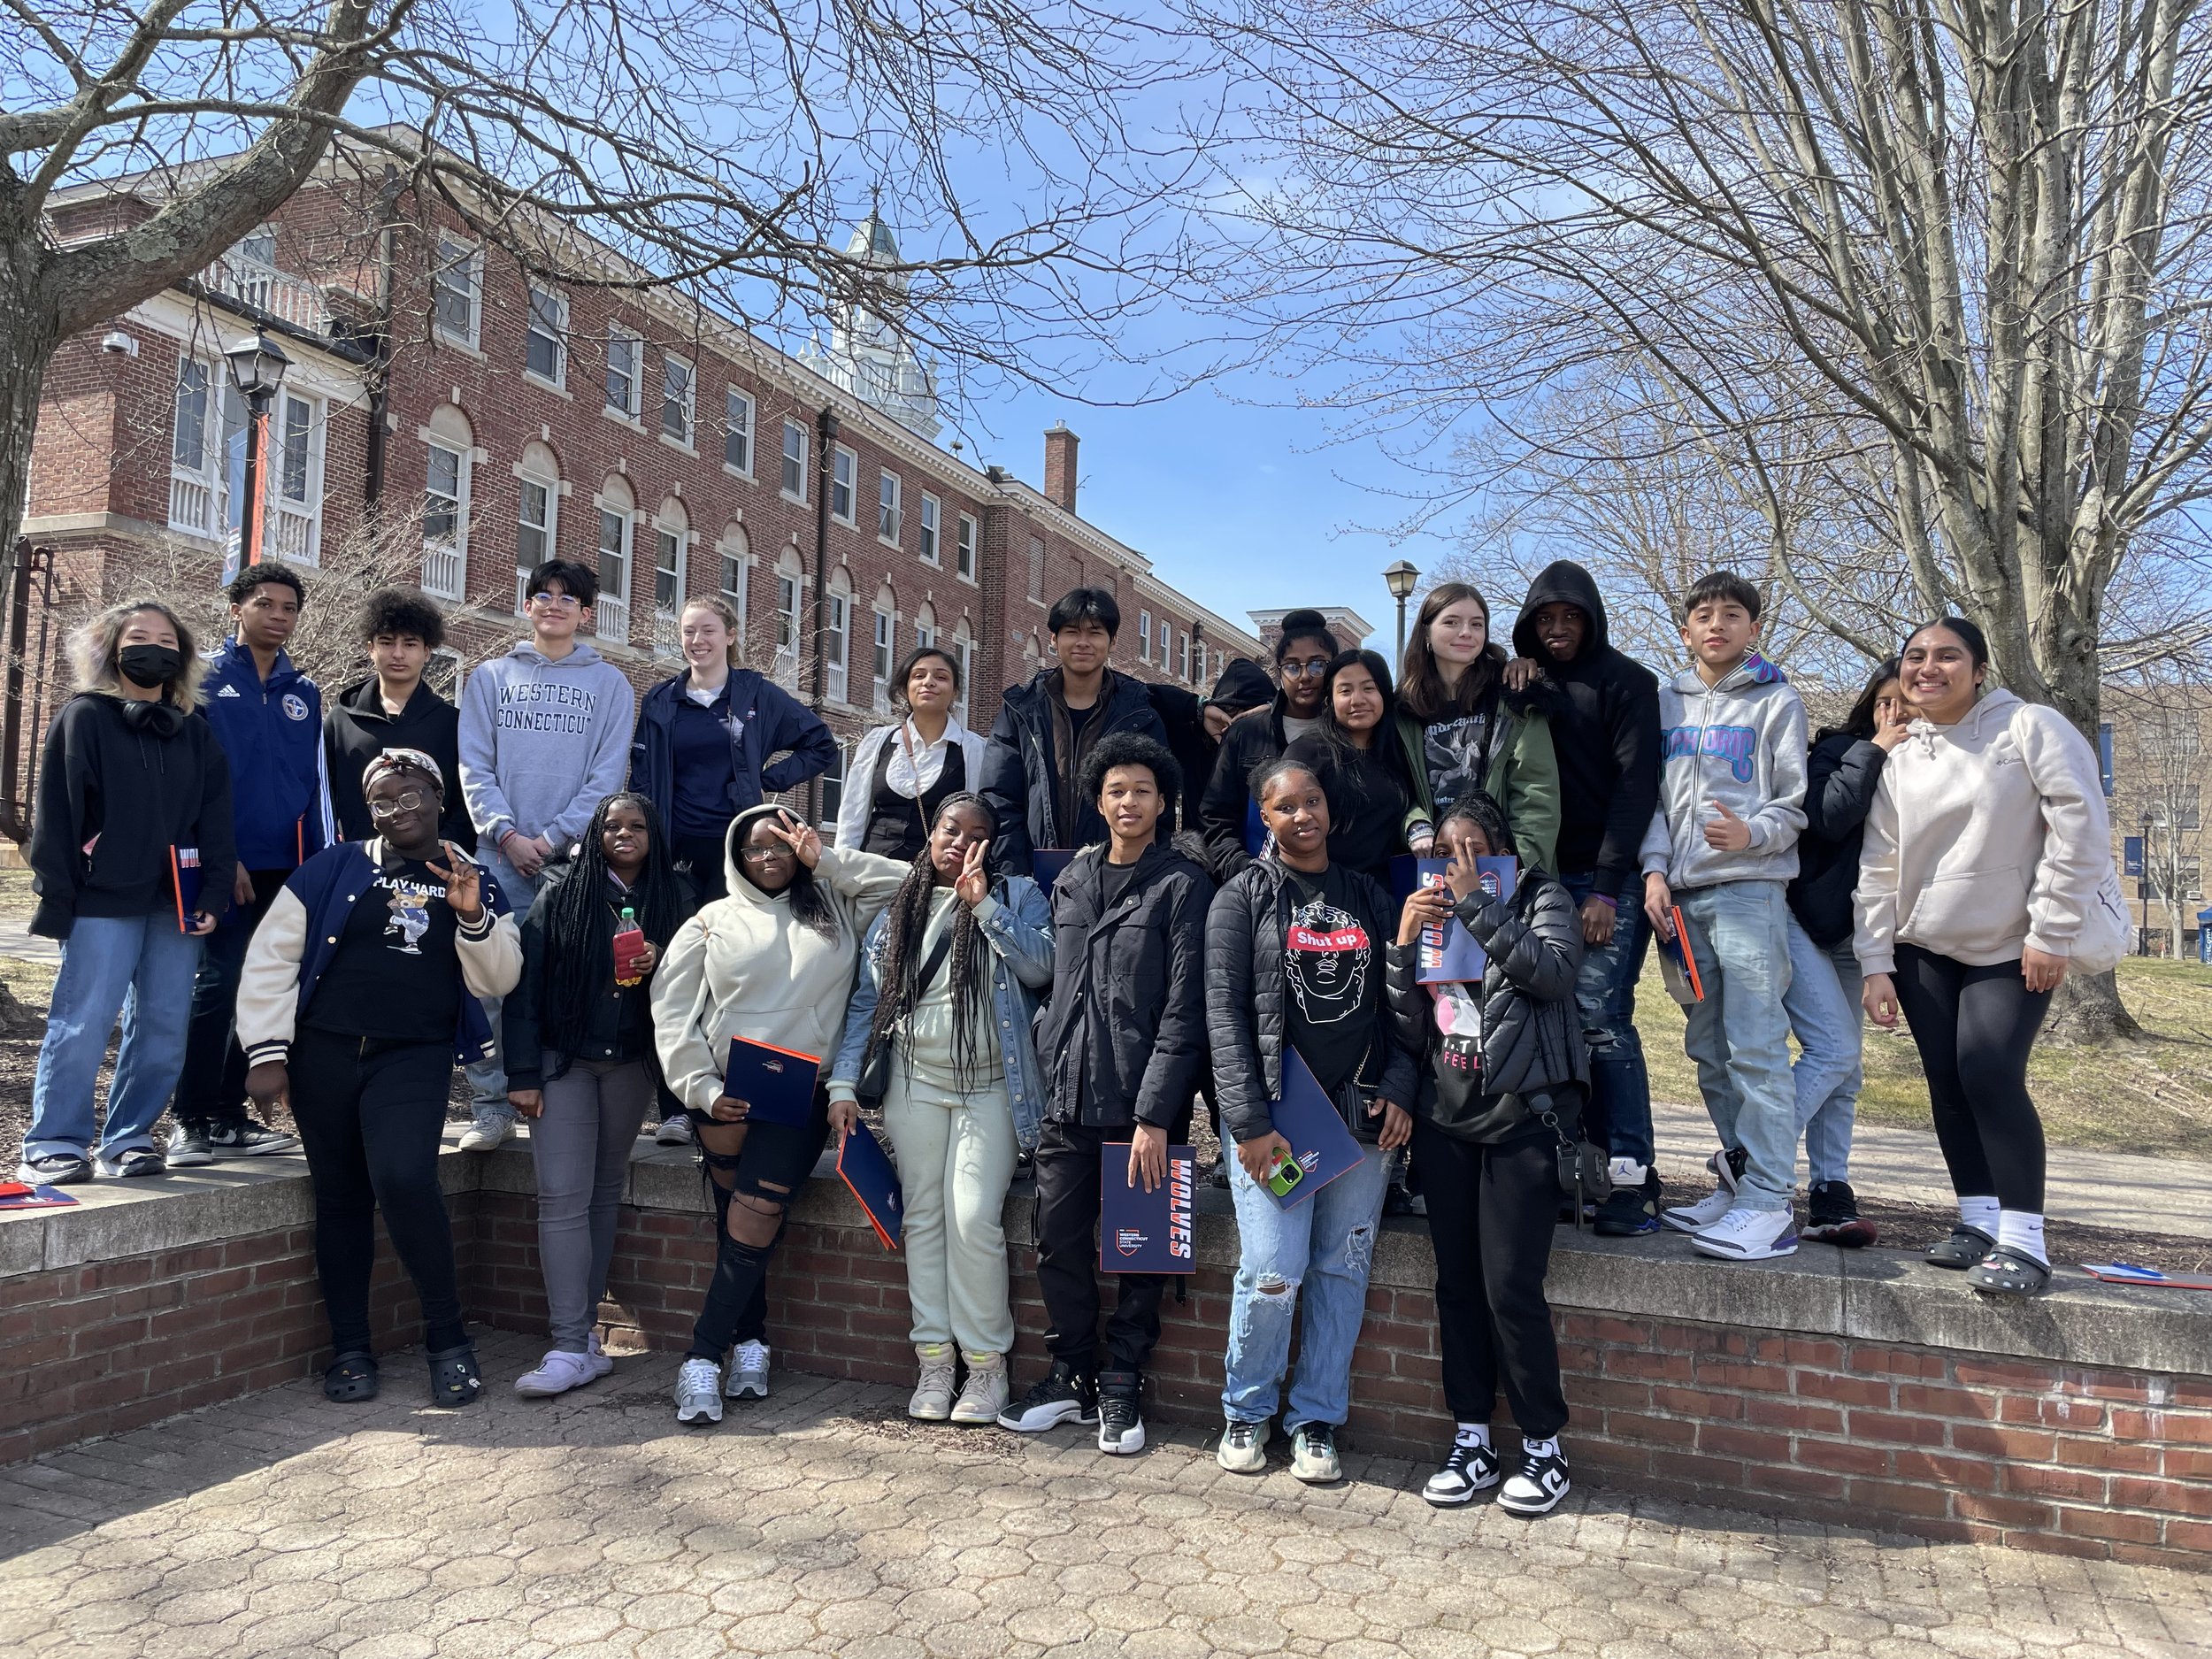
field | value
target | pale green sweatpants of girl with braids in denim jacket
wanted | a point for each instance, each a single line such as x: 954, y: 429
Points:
x: 954, y: 1165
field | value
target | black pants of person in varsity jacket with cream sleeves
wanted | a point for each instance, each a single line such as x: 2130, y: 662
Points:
x: 368, y: 1118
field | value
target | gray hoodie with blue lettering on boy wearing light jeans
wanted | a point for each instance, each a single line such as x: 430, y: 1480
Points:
x: 1744, y: 744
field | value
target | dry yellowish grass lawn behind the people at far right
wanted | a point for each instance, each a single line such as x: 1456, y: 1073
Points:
x: 2151, y: 1096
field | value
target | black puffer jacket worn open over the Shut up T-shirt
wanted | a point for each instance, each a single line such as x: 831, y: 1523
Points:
x: 1246, y: 994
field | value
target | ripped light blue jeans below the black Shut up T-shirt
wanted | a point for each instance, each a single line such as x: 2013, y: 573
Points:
x: 1326, y: 1246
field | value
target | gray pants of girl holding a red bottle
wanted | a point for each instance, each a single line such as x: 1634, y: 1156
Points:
x: 583, y: 1151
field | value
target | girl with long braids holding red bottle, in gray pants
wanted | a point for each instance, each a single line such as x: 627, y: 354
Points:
x: 581, y: 1058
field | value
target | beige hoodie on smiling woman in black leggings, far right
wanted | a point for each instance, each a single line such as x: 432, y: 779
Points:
x: 1985, y: 837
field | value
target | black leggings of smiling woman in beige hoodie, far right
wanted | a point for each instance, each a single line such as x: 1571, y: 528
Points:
x: 1974, y: 1030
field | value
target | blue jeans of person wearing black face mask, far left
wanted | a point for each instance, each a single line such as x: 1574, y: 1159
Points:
x: 134, y: 966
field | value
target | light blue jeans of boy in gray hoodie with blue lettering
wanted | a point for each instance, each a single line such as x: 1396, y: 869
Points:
x: 1740, y: 1034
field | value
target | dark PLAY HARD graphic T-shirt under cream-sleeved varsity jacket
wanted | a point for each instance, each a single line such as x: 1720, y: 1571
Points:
x: 395, y: 974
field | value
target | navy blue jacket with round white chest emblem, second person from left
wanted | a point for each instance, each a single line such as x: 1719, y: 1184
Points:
x: 273, y: 738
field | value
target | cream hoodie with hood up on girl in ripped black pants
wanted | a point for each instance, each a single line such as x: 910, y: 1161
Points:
x: 742, y: 968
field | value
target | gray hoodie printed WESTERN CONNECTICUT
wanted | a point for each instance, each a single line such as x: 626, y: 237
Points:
x: 543, y: 742
